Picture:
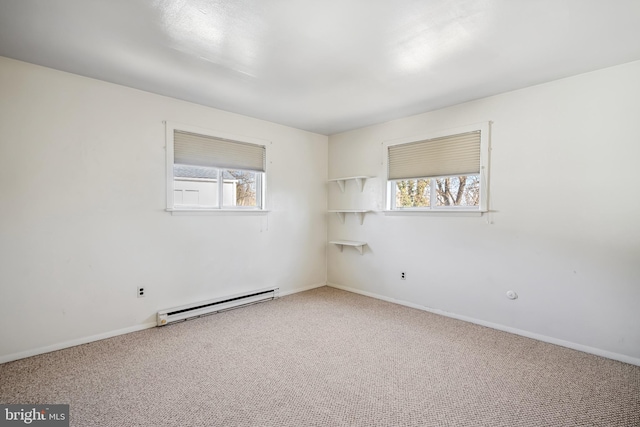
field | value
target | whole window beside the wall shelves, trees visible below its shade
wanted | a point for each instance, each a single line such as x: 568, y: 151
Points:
x: 442, y: 172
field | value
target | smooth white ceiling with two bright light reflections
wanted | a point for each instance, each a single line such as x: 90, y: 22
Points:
x: 323, y: 65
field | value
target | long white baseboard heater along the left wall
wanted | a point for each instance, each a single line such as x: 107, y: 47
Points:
x: 204, y: 308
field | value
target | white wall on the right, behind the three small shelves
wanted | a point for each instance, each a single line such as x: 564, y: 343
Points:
x: 564, y: 231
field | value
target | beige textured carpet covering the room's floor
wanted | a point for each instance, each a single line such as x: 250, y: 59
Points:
x: 327, y: 358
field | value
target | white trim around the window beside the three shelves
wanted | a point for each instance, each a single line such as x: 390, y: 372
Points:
x: 485, y: 147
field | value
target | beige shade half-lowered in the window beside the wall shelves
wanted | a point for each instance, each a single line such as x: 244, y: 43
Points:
x: 449, y: 155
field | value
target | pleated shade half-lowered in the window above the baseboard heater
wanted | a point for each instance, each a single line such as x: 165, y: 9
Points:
x: 201, y: 150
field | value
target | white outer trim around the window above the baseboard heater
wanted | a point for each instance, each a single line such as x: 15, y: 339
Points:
x: 170, y: 127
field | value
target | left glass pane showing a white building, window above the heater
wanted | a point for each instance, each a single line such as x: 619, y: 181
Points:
x: 195, y: 186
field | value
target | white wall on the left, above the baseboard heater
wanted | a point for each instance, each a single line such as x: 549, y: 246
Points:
x: 82, y: 220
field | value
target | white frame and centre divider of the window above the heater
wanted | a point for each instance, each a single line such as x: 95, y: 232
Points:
x: 261, y: 192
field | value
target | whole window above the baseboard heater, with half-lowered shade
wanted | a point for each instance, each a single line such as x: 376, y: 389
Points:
x: 213, y: 171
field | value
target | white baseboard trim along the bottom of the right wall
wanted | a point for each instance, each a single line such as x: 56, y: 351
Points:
x: 539, y: 337
